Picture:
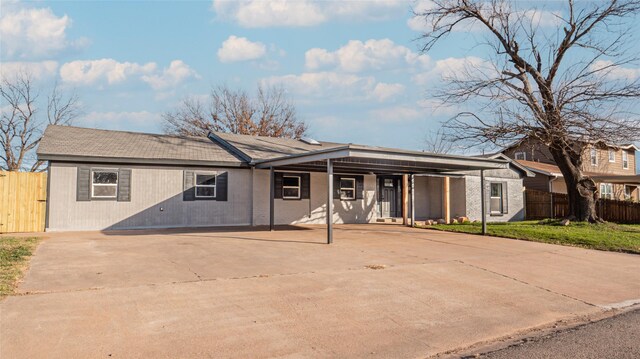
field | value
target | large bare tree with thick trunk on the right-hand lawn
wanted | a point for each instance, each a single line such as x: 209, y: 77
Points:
x: 562, y: 85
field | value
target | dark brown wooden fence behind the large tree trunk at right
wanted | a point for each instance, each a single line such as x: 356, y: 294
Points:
x: 540, y: 205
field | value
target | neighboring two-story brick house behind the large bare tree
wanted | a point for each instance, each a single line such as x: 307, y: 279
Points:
x: 612, y: 167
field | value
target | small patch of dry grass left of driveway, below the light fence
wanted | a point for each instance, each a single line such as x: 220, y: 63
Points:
x: 14, y: 258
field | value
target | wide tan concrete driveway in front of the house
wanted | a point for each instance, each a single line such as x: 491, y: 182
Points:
x: 285, y: 294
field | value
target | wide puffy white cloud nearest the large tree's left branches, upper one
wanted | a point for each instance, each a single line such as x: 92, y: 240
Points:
x: 358, y: 56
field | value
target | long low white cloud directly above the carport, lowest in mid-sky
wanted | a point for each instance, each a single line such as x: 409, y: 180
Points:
x: 339, y: 86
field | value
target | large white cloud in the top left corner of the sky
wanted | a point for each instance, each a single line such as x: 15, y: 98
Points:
x: 34, y: 32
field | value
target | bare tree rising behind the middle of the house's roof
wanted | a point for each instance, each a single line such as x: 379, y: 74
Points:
x: 269, y: 113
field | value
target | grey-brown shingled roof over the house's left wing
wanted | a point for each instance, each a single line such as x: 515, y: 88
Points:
x: 87, y: 144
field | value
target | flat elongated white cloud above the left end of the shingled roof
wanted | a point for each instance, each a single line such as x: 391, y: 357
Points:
x: 88, y: 72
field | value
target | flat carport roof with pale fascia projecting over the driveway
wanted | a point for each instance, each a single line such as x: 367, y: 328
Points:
x: 357, y: 158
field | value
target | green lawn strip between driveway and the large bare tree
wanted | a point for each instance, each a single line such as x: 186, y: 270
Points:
x: 607, y: 236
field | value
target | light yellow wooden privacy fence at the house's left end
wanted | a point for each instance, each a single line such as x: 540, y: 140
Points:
x: 23, y: 205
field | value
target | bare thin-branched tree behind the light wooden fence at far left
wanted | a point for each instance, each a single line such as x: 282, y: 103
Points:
x: 21, y: 126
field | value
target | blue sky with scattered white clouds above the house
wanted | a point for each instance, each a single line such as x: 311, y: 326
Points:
x: 352, y: 68
